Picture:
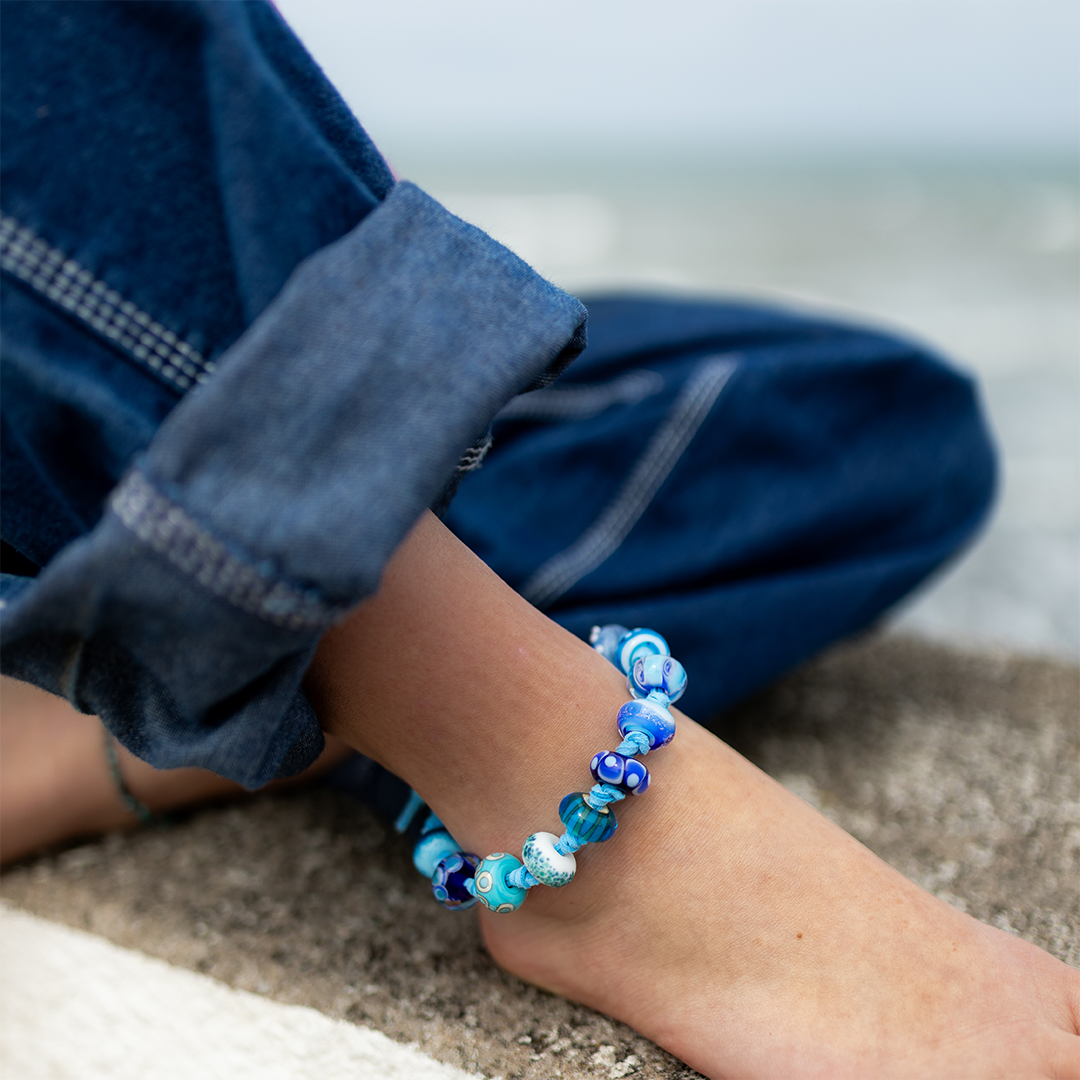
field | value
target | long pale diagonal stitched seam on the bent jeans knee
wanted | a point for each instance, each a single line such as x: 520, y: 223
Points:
x: 668, y: 444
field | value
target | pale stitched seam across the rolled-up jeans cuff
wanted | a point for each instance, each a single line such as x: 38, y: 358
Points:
x: 171, y: 532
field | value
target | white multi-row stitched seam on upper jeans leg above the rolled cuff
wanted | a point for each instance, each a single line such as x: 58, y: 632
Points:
x: 72, y: 287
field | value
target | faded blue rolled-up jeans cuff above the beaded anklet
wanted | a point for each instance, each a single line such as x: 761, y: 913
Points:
x: 274, y: 495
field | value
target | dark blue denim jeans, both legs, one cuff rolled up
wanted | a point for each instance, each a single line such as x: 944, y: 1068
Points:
x: 237, y: 361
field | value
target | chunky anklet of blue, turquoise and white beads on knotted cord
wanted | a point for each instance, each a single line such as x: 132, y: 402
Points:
x: 502, y: 882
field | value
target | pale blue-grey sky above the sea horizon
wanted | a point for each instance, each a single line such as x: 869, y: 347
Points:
x: 775, y: 75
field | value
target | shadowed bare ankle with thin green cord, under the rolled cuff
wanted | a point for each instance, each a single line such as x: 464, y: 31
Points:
x: 56, y: 784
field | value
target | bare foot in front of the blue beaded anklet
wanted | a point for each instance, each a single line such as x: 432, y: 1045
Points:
x: 740, y: 929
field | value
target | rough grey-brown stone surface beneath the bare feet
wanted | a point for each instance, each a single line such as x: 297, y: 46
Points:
x: 962, y: 771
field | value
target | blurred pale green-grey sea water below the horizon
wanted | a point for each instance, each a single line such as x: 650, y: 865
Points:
x: 980, y: 259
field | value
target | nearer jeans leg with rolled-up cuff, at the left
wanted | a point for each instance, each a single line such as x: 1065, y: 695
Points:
x: 237, y: 361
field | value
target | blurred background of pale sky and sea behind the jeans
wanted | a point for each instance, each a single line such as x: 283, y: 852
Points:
x: 910, y: 164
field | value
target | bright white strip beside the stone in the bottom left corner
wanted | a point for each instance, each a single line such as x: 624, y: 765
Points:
x: 76, y: 1006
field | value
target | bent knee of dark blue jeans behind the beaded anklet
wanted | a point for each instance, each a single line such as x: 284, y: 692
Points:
x: 751, y: 482
